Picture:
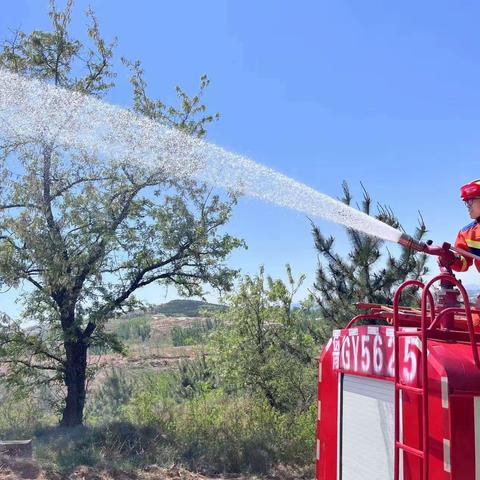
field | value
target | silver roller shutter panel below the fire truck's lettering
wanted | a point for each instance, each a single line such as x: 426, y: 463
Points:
x: 367, y: 429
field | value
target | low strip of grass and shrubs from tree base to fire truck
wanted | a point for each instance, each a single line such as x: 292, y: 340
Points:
x: 212, y: 433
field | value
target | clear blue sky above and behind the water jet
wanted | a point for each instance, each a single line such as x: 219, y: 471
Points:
x: 384, y: 93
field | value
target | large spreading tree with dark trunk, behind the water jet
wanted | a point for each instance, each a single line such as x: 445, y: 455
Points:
x: 85, y: 234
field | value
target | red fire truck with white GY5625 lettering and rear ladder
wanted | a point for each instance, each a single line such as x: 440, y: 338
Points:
x: 399, y: 388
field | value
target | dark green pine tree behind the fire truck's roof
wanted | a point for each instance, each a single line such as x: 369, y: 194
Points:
x: 370, y: 273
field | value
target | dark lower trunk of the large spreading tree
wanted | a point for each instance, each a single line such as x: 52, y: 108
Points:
x: 75, y: 381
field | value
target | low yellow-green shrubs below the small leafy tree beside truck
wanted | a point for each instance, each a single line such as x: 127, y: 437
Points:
x: 218, y: 433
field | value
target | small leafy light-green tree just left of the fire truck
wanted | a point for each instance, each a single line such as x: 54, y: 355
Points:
x: 265, y: 346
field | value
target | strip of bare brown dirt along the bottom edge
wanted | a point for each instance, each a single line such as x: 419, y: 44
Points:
x: 11, y: 469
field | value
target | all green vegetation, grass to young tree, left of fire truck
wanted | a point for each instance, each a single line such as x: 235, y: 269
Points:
x: 231, y: 408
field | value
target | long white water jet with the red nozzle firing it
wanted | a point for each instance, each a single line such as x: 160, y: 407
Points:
x: 33, y: 111
